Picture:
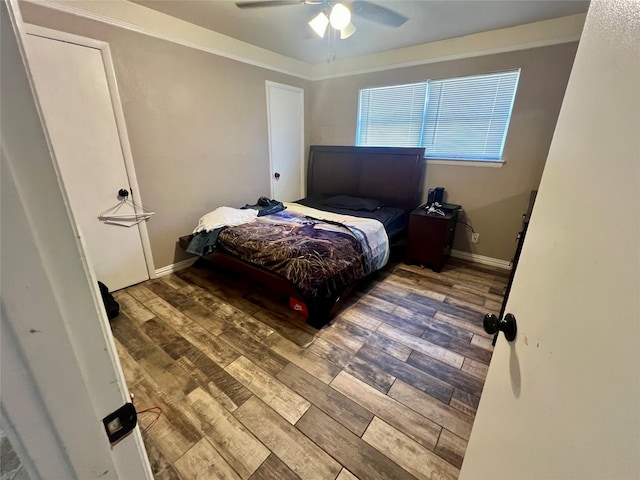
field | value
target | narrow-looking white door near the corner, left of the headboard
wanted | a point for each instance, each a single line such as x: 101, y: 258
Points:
x: 285, y: 110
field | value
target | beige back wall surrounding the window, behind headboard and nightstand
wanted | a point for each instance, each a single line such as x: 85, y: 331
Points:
x: 494, y: 199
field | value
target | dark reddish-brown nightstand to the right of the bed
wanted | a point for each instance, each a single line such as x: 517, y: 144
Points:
x: 431, y: 236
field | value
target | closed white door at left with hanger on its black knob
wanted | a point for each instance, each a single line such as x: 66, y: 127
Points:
x: 77, y: 105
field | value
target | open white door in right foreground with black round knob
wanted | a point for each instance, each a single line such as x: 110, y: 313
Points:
x: 563, y: 400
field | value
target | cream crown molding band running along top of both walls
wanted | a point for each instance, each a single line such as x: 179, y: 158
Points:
x: 139, y: 19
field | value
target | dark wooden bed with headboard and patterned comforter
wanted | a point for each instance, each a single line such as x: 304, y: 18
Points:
x: 311, y: 253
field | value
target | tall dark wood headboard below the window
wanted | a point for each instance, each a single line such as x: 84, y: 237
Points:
x: 394, y: 175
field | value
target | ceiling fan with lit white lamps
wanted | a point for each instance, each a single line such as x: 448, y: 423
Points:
x: 337, y: 14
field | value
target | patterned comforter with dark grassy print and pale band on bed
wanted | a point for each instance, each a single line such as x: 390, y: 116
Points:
x: 320, y: 253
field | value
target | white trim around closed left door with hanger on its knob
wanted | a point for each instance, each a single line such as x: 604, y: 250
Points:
x: 105, y: 51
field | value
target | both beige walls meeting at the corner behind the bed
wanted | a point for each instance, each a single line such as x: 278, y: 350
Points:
x: 198, y: 132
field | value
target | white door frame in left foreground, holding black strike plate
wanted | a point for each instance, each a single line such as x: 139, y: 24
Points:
x: 58, y: 362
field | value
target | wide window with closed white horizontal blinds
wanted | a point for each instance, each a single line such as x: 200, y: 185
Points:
x: 462, y: 118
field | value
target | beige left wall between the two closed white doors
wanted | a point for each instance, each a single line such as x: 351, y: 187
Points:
x: 196, y: 123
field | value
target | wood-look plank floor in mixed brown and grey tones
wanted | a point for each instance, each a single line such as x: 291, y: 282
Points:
x: 249, y: 391
